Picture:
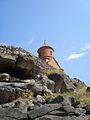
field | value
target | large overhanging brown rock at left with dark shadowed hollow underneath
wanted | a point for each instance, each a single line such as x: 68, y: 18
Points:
x: 19, y: 63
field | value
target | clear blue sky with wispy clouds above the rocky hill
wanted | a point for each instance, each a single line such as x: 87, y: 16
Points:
x: 64, y: 24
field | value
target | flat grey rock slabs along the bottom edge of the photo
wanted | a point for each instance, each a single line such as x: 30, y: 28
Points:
x: 58, y: 110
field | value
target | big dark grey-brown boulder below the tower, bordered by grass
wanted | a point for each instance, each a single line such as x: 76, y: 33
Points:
x: 62, y: 83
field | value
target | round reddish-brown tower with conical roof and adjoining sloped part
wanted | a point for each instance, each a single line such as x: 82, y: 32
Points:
x: 45, y: 52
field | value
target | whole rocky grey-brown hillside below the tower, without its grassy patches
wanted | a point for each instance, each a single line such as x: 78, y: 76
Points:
x: 25, y: 84
